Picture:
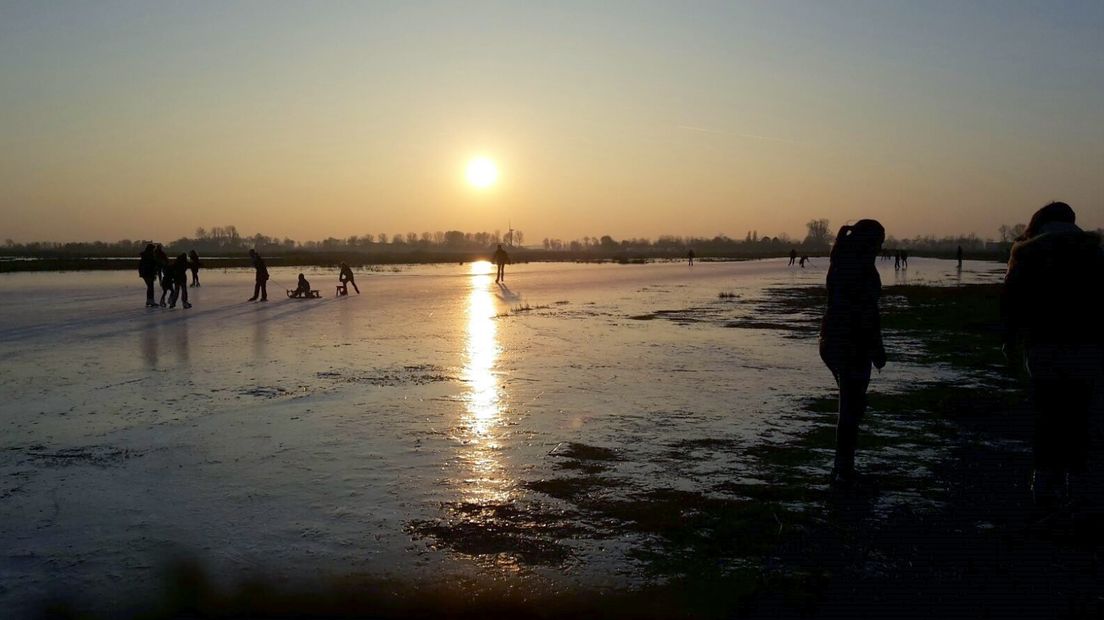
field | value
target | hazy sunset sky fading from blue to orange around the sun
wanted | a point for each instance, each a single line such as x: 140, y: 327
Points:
x: 146, y: 121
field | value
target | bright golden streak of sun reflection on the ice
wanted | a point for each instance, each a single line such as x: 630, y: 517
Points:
x: 484, y: 401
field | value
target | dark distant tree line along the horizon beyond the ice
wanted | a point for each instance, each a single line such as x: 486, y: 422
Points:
x: 229, y: 242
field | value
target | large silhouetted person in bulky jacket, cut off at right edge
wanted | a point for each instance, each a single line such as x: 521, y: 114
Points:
x: 1052, y: 301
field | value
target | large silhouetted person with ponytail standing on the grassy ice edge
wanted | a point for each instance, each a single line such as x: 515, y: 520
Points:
x: 851, y: 334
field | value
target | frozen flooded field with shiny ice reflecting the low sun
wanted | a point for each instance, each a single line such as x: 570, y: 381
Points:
x: 363, y: 435
